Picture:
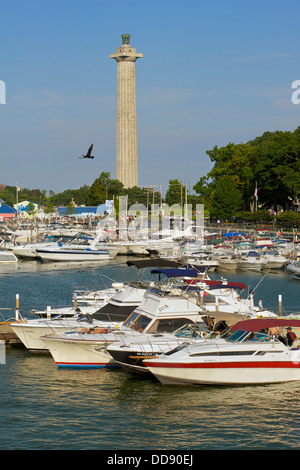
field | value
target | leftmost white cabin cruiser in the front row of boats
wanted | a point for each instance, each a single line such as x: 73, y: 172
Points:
x: 113, y: 304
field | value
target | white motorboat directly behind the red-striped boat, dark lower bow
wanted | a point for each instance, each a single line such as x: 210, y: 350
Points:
x: 221, y: 307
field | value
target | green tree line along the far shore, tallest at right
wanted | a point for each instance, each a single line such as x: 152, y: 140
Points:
x: 268, y: 164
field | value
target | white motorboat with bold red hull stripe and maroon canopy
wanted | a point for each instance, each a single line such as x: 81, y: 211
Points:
x: 245, y: 357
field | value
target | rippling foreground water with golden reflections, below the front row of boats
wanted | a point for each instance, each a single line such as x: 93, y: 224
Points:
x: 102, y: 409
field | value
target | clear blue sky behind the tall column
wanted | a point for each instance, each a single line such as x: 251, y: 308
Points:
x: 213, y: 72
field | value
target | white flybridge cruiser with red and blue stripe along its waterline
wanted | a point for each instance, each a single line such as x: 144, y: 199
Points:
x: 162, y: 310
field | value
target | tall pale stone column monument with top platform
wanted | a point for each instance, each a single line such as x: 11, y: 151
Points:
x: 127, y: 161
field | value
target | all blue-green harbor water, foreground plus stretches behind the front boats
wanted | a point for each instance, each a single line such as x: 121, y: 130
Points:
x: 46, y: 408
